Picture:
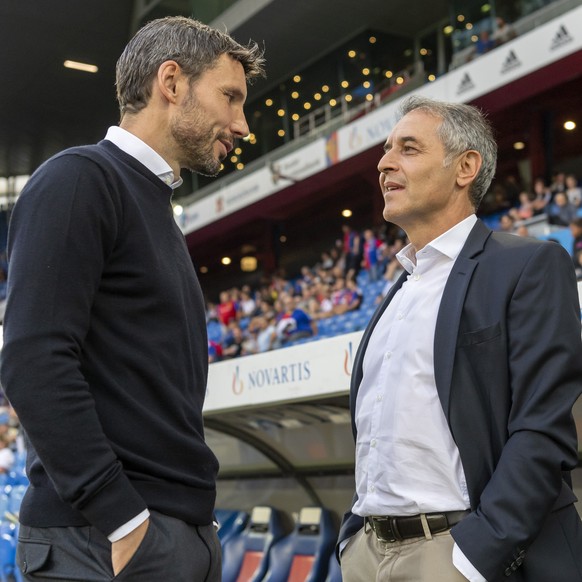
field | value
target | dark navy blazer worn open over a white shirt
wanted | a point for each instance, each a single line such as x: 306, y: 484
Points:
x: 508, y: 369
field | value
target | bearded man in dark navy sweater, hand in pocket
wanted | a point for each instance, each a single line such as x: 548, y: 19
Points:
x: 105, y: 349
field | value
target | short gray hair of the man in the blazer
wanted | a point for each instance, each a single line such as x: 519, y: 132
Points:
x: 463, y: 128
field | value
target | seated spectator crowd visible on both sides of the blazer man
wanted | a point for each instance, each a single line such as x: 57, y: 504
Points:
x: 283, y: 310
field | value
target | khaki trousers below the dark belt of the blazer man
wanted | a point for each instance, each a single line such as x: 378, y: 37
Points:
x: 366, y: 559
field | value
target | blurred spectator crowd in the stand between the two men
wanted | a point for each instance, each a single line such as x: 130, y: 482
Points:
x: 284, y: 310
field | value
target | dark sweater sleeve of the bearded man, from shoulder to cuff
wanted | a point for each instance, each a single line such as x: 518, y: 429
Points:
x: 62, y: 230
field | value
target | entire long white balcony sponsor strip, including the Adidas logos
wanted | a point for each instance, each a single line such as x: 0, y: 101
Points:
x: 545, y: 44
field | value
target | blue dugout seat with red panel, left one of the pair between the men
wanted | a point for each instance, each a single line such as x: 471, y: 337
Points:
x: 245, y: 557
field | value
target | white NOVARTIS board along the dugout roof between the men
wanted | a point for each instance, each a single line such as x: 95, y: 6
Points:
x: 315, y: 369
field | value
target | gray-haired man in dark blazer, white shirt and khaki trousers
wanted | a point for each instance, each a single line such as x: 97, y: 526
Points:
x: 484, y: 495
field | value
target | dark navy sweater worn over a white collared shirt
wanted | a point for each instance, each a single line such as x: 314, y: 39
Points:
x: 105, y: 349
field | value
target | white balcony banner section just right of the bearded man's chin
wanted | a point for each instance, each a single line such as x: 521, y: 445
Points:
x: 255, y: 186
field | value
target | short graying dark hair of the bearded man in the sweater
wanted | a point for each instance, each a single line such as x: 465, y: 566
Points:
x: 193, y: 45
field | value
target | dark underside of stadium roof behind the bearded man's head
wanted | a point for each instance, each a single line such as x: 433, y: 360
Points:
x: 45, y: 107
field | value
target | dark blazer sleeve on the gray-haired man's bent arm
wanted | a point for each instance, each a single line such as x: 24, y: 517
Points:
x: 544, y: 376
